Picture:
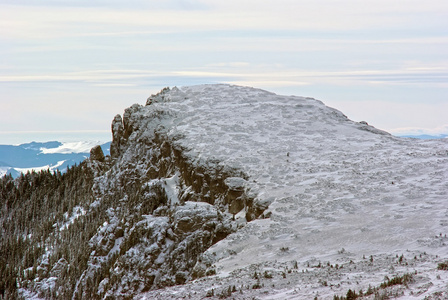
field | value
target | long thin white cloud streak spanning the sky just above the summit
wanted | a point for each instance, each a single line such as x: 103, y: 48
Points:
x: 411, y: 75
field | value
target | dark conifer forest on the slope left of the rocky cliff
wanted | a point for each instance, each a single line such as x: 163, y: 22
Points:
x: 31, y: 207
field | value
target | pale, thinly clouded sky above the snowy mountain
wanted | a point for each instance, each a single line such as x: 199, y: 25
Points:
x: 68, y: 67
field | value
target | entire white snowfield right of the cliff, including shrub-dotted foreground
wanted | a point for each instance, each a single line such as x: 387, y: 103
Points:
x: 340, y: 192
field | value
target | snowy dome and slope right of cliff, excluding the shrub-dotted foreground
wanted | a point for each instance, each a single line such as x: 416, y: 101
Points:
x: 330, y: 183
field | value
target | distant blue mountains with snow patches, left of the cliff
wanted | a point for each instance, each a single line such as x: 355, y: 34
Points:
x: 15, y: 159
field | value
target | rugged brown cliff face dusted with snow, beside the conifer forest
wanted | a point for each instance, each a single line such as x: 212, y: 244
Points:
x: 158, y: 208
